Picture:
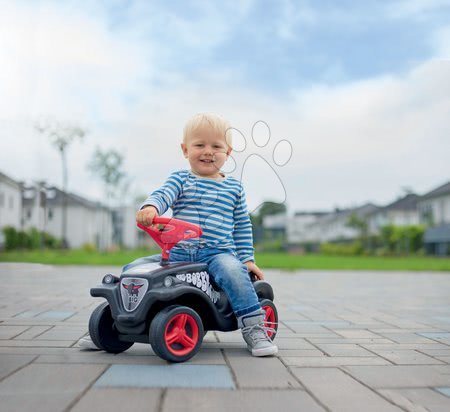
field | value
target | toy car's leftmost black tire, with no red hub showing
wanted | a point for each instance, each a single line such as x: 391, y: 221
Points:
x: 102, y: 331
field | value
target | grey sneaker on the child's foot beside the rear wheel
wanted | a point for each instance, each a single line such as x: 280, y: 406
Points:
x: 255, y: 333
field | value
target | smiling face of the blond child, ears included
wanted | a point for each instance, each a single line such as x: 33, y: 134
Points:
x: 206, y: 151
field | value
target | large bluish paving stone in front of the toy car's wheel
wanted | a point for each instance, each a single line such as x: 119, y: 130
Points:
x: 167, y: 376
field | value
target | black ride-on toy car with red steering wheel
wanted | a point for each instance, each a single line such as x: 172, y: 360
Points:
x: 169, y: 305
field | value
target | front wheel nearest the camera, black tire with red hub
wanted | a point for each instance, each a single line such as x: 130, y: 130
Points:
x: 176, y: 333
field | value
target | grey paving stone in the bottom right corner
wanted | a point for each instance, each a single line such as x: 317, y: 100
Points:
x: 417, y: 399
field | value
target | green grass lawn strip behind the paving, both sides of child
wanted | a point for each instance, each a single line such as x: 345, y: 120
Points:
x: 264, y: 260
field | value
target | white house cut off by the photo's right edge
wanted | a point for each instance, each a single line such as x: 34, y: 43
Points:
x: 434, y: 210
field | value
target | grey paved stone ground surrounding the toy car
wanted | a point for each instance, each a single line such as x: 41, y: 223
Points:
x: 349, y: 341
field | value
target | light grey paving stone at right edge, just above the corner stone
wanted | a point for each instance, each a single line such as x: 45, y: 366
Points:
x: 399, y: 376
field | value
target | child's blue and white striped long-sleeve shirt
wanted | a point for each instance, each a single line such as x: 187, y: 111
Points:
x: 217, y: 206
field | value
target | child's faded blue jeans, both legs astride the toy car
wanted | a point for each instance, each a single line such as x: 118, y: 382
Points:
x: 225, y: 268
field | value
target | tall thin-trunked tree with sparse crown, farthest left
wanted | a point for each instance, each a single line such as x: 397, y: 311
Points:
x: 61, y: 136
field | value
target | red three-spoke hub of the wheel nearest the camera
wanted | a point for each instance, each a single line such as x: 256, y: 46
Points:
x: 181, y: 334
